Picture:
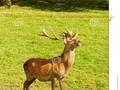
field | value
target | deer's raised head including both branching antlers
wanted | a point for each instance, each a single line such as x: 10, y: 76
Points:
x: 70, y: 41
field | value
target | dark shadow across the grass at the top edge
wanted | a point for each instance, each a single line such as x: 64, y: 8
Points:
x: 62, y: 5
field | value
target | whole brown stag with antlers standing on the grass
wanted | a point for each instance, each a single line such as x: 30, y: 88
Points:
x: 55, y: 68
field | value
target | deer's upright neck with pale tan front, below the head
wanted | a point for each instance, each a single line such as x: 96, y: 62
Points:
x: 68, y: 58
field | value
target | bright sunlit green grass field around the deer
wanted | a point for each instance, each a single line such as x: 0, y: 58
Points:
x: 19, y: 41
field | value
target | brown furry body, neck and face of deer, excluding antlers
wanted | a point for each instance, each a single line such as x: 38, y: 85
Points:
x: 48, y: 70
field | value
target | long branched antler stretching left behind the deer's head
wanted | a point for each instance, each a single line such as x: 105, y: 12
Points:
x: 44, y: 33
